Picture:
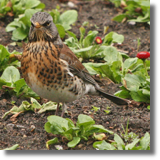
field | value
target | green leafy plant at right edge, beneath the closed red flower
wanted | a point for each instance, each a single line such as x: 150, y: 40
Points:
x: 136, y: 84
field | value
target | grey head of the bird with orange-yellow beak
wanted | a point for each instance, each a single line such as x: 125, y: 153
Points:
x: 42, y: 28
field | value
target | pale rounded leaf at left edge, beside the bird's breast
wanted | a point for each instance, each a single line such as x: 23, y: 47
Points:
x: 11, y: 74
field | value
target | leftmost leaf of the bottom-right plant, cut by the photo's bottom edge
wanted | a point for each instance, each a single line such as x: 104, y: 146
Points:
x: 103, y: 145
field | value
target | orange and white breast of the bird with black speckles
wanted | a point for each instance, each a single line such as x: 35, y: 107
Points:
x: 48, y: 75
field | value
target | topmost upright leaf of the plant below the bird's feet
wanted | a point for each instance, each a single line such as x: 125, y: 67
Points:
x: 84, y: 120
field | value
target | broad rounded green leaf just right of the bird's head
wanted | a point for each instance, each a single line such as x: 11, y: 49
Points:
x: 67, y: 18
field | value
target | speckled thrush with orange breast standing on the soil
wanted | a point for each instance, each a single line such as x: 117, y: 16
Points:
x: 52, y: 70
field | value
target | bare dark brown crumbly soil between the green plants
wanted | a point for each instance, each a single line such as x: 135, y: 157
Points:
x: 28, y: 129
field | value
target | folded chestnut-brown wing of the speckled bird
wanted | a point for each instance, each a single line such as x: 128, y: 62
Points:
x: 75, y: 65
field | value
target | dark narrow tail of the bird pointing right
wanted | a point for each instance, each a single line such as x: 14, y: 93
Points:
x: 113, y: 98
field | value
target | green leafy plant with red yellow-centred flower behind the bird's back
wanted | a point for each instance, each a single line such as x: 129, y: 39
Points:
x: 91, y: 46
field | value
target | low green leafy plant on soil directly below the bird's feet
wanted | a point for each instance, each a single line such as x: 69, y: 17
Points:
x: 84, y: 128
